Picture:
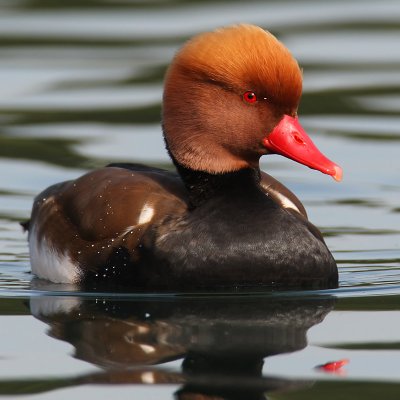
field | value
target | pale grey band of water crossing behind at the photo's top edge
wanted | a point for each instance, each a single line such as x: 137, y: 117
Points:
x: 188, y: 19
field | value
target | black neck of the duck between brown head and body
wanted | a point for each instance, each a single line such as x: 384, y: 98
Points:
x: 203, y: 186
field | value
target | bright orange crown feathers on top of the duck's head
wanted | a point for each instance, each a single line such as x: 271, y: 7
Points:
x: 244, y: 56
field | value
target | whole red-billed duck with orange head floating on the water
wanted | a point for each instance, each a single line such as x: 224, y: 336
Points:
x: 218, y: 222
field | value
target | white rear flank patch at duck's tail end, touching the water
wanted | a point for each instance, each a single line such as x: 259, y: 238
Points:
x: 47, y: 263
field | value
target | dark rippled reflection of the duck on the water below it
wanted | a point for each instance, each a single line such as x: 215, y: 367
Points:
x: 223, y: 340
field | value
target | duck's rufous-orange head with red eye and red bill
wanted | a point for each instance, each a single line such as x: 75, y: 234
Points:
x: 232, y: 96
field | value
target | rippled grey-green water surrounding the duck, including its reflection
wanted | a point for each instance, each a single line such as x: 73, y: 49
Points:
x: 81, y: 83
